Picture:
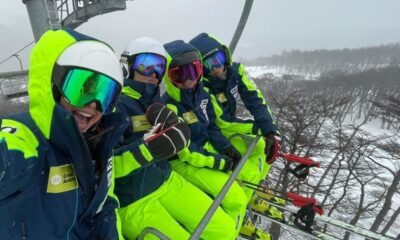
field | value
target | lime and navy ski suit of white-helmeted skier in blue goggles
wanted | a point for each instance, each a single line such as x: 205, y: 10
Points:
x: 154, y: 195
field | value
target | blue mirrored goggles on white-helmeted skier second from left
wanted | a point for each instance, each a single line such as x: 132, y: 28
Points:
x: 149, y: 63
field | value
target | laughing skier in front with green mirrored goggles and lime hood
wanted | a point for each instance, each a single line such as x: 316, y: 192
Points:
x: 54, y: 182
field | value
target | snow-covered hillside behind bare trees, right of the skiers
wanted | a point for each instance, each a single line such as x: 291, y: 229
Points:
x: 366, y: 170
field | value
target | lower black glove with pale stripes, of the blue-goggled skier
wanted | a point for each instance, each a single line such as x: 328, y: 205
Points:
x: 165, y: 143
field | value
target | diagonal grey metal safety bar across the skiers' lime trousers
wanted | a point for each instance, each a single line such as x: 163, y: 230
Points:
x: 204, y: 221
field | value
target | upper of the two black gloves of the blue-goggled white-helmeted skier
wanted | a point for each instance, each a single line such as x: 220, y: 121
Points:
x: 159, y: 113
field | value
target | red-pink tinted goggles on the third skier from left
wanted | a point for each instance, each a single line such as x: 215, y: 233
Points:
x: 180, y: 74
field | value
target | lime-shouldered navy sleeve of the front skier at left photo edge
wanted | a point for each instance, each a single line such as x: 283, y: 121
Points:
x: 19, y: 160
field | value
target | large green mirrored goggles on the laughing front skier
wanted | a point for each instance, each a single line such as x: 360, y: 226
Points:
x: 81, y: 87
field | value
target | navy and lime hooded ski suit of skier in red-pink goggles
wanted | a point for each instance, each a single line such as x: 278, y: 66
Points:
x: 201, y: 163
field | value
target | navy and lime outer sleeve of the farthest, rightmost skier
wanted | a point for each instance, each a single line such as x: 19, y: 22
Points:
x: 255, y: 103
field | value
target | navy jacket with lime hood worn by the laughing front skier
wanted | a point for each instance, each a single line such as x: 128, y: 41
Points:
x: 47, y: 180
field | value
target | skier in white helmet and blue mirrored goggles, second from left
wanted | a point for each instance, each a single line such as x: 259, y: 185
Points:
x: 154, y: 195
